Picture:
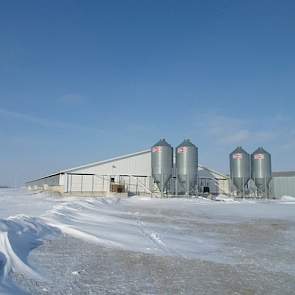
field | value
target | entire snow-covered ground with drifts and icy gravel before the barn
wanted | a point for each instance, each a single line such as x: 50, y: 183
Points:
x: 54, y: 245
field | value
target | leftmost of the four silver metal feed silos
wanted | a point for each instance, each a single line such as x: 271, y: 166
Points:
x: 162, y: 163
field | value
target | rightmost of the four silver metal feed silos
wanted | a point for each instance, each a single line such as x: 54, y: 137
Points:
x: 261, y: 170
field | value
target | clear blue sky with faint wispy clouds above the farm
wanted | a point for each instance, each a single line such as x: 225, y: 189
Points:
x: 82, y: 81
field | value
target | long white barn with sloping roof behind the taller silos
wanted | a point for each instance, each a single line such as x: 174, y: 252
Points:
x: 129, y: 173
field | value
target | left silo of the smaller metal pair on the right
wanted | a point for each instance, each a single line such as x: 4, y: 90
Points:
x: 240, y: 171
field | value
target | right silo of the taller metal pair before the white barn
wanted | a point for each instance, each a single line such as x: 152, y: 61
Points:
x: 187, y: 167
